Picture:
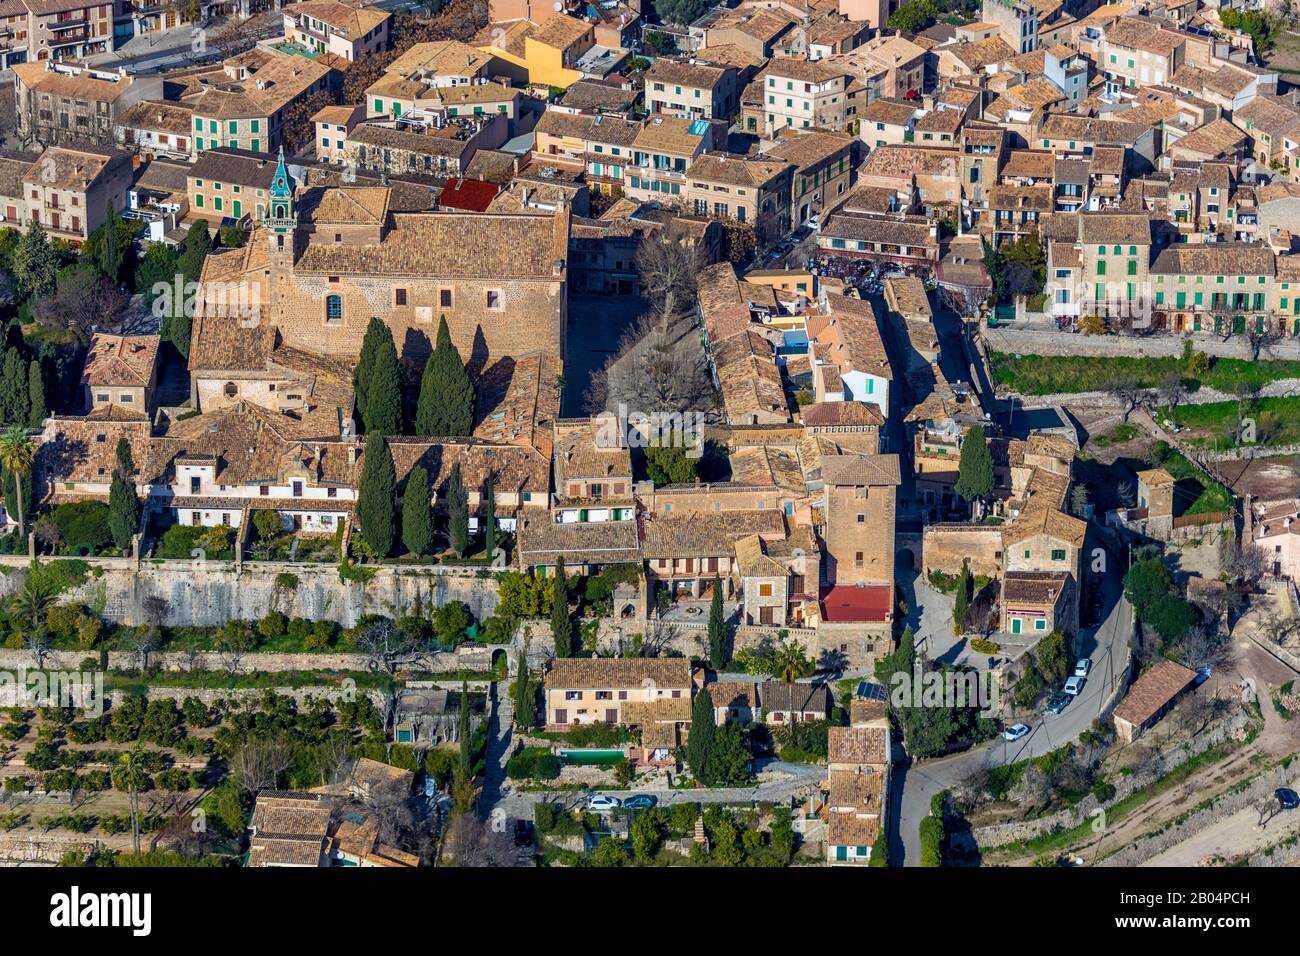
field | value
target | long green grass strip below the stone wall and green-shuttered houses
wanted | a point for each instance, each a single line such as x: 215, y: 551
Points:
x: 1043, y: 375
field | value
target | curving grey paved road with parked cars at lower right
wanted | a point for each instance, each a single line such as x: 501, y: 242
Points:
x: 913, y: 788
